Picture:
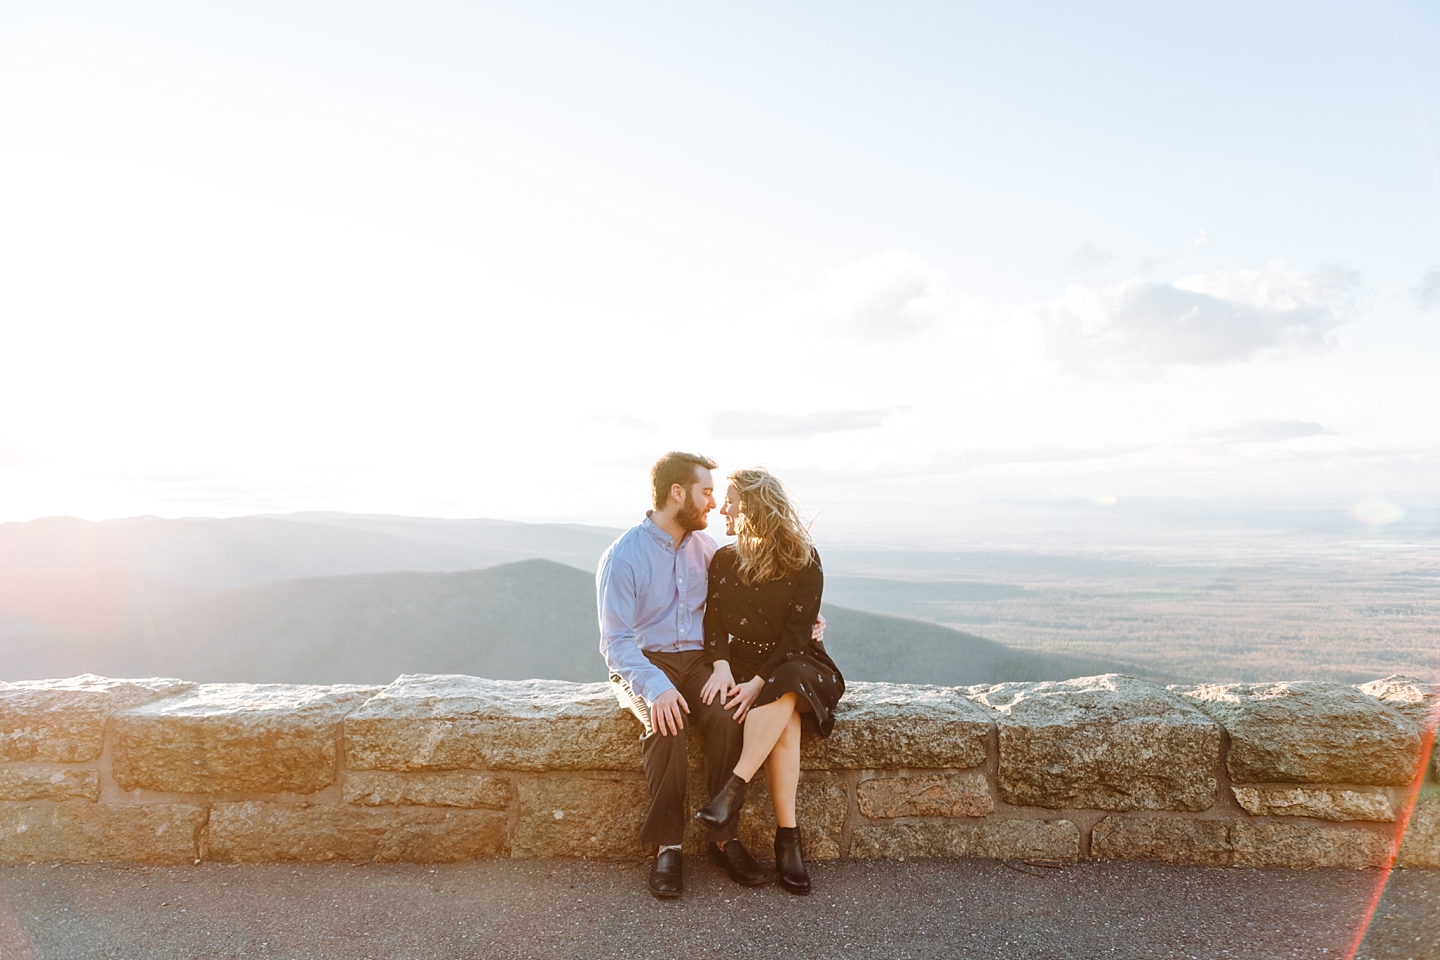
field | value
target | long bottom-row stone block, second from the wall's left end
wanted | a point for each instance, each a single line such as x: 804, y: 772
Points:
x: 260, y: 833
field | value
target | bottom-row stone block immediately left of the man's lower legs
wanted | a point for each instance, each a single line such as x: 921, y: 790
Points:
x: 574, y: 817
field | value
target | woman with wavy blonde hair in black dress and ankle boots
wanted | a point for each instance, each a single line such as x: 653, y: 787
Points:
x: 764, y: 599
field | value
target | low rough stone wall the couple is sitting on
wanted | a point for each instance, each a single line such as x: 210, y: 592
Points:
x: 450, y: 768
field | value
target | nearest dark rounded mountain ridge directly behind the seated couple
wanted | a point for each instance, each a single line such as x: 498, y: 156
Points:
x: 515, y: 621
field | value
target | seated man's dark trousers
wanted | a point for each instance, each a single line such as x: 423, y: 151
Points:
x: 665, y: 758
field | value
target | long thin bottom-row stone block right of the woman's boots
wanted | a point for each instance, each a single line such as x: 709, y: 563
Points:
x: 997, y: 840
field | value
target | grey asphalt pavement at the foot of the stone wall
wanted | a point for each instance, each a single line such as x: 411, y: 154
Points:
x: 581, y: 909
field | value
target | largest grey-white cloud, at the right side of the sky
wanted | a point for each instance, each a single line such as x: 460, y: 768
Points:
x: 1140, y: 329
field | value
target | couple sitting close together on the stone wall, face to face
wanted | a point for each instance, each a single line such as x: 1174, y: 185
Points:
x: 729, y: 638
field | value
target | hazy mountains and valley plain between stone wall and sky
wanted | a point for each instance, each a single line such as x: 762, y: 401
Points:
x: 341, y: 598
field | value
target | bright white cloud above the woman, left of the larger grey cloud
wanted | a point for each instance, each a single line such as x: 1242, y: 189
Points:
x: 885, y: 297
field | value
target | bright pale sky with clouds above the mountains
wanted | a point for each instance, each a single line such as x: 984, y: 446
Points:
x: 492, y: 260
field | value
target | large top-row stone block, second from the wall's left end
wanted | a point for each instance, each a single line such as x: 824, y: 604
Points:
x: 235, y: 739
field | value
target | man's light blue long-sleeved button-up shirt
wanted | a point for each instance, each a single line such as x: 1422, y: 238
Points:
x: 652, y: 599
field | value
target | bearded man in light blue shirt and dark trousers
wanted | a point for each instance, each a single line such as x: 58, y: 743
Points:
x: 652, y: 589
